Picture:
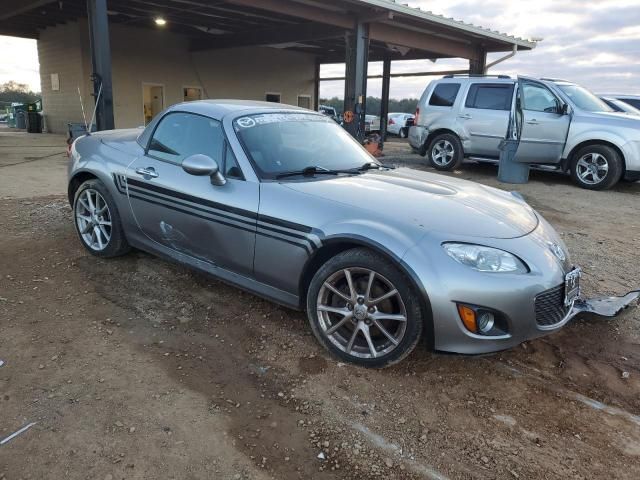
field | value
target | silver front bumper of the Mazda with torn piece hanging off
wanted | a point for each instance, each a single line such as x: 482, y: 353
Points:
x: 447, y: 283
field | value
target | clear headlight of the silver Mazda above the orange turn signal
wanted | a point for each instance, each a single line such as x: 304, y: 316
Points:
x: 485, y: 259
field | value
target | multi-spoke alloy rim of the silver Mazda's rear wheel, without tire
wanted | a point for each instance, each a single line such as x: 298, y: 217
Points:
x: 93, y: 219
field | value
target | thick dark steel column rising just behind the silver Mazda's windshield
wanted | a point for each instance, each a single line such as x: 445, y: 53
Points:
x: 355, y: 88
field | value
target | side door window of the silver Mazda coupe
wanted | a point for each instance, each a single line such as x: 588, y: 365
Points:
x: 180, y: 135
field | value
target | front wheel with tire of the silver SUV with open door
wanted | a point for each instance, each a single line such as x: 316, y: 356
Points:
x: 596, y: 167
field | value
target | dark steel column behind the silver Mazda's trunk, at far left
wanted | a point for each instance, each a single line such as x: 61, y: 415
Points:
x: 101, y: 62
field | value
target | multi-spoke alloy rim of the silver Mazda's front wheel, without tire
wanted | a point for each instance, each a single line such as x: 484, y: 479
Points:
x: 361, y: 313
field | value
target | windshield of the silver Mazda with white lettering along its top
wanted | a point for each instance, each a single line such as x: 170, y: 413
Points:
x: 280, y: 143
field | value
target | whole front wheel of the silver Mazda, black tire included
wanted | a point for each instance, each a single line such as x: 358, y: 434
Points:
x: 361, y: 316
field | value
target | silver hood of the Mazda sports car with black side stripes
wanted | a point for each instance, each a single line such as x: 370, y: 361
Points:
x: 431, y: 201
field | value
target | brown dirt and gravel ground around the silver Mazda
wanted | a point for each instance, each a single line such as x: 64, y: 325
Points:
x: 136, y: 368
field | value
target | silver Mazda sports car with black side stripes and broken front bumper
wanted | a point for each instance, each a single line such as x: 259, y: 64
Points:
x: 284, y: 203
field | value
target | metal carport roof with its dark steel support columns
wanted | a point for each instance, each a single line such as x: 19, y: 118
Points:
x: 334, y: 31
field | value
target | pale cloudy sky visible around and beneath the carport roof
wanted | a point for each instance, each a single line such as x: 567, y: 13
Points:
x: 592, y: 42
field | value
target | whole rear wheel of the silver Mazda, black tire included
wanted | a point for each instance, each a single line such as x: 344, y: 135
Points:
x: 109, y: 240
